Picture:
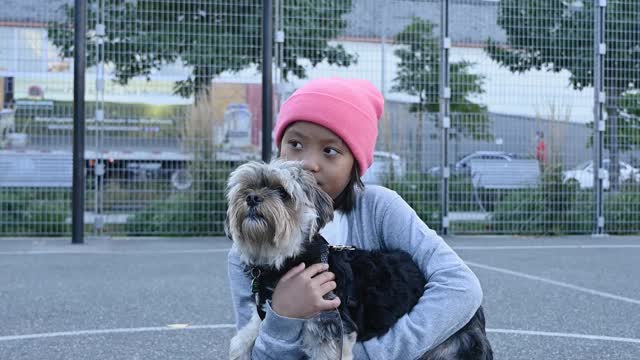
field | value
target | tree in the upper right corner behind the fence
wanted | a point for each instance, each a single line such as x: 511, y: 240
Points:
x: 559, y: 35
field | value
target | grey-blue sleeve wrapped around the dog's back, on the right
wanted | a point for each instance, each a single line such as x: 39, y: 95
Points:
x: 451, y: 297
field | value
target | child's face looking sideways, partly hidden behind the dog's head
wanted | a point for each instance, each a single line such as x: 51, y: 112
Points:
x: 322, y: 152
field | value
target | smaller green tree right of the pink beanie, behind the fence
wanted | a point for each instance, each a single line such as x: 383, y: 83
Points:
x: 418, y: 74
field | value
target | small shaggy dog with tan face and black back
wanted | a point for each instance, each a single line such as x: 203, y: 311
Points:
x: 275, y: 212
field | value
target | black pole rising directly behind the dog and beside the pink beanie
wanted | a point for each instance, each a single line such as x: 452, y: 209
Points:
x: 267, y: 87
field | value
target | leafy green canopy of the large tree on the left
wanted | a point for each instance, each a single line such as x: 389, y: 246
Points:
x: 207, y: 37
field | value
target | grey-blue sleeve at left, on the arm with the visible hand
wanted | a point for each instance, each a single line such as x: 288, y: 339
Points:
x: 279, y: 337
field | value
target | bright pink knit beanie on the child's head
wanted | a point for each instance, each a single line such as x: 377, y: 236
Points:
x: 350, y: 108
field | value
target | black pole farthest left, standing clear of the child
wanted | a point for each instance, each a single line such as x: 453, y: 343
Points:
x: 77, y: 232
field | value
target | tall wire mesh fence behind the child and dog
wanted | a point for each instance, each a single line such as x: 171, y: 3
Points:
x: 532, y: 106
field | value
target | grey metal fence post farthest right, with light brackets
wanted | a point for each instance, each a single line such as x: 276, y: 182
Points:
x: 599, y: 121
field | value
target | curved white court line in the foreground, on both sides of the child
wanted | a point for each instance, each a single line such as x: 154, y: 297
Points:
x: 232, y: 326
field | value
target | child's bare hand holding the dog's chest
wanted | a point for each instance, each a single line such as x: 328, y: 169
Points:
x: 299, y: 293
